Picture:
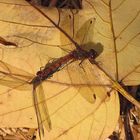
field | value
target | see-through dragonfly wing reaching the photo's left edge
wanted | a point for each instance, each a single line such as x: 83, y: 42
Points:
x: 13, y: 77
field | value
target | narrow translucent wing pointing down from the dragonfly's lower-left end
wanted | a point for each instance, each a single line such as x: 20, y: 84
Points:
x: 43, y: 112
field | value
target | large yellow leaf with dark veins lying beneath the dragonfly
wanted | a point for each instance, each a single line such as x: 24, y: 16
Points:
x: 69, y: 93
